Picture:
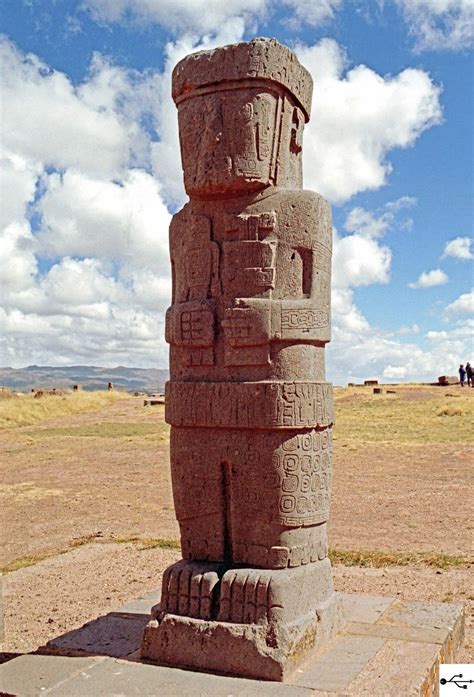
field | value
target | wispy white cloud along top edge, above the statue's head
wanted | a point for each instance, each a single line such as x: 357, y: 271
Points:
x: 199, y: 16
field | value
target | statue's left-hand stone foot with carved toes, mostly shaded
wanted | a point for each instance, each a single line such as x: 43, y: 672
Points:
x: 190, y: 588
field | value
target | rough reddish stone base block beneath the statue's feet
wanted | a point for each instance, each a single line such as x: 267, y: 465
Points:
x: 245, y: 650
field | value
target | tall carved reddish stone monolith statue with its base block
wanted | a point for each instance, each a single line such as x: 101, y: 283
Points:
x: 249, y: 408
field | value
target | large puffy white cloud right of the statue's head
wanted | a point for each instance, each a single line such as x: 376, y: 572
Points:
x: 358, y: 117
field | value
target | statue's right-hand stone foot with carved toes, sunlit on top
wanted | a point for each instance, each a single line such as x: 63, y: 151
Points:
x: 244, y: 596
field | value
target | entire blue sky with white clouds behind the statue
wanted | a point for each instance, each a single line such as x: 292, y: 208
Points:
x: 91, y: 170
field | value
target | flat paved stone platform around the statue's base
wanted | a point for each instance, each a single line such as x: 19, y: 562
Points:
x: 388, y: 648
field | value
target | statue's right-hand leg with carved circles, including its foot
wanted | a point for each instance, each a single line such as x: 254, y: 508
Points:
x: 277, y: 522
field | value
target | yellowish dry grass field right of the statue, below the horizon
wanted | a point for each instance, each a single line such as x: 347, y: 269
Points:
x: 407, y: 417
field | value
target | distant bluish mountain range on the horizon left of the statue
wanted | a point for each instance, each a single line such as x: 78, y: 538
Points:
x: 88, y: 377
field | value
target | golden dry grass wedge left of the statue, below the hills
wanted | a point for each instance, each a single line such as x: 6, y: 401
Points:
x: 24, y: 410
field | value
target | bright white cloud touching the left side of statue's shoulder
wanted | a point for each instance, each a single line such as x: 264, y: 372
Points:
x: 126, y: 221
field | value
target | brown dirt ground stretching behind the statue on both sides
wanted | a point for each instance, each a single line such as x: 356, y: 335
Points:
x: 105, y: 476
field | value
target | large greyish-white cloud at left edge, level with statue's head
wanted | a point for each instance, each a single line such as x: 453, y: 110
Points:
x: 47, y: 120
